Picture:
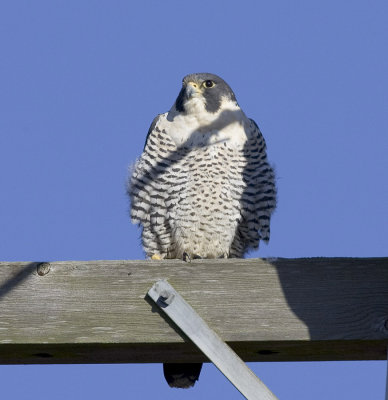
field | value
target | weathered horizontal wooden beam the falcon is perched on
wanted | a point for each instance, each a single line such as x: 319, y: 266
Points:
x: 266, y: 310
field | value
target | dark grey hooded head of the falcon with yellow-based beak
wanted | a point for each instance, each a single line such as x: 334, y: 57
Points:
x: 203, y: 91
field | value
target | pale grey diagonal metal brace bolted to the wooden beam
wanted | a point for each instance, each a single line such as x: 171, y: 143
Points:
x: 222, y: 356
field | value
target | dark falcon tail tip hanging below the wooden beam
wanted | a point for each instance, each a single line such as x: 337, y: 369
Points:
x: 182, y: 375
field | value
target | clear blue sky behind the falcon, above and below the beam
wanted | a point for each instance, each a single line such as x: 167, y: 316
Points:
x: 80, y: 83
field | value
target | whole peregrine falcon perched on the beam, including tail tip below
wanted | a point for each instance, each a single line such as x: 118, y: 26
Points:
x: 203, y: 187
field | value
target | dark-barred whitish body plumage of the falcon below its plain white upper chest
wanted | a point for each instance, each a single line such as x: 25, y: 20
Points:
x: 209, y: 199
